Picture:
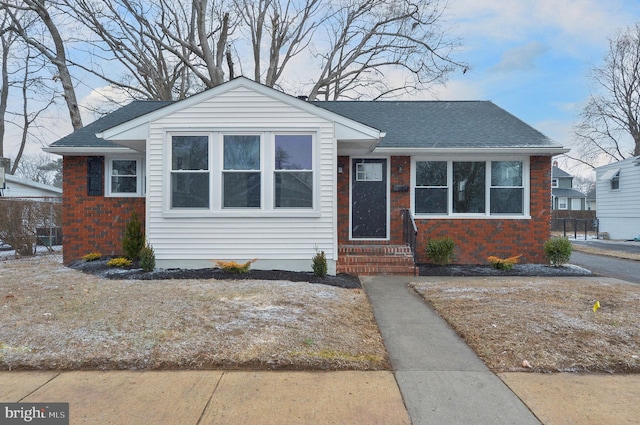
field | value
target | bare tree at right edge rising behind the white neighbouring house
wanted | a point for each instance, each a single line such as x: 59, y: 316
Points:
x: 610, y: 122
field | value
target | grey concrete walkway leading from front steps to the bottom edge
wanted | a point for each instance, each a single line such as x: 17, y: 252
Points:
x: 441, y: 379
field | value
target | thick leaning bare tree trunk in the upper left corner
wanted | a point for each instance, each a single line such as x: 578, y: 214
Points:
x: 55, y: 53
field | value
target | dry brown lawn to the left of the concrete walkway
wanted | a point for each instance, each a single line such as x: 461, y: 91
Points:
x: 57, y: 318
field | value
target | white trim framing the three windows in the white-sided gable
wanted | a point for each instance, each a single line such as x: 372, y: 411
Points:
x: 267, y: 175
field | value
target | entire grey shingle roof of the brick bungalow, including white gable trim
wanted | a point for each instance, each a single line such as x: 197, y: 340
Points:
x: 408, y: 125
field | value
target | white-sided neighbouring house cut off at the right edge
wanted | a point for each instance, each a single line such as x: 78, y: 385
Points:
x: 618, y: 187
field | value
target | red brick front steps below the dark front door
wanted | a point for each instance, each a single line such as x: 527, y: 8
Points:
x: 363, y: 260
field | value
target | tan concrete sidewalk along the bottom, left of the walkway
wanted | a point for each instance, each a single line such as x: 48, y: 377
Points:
x: 213, y: 397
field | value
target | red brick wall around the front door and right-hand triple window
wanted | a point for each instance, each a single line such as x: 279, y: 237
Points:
x: 475, y: 239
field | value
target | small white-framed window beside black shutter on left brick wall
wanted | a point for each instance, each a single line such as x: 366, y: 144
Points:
x: 125, y: 177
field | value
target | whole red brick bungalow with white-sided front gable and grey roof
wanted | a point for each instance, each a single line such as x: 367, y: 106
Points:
x: 243, y: 171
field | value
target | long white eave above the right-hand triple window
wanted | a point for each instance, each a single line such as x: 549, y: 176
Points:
x: 531, y: 151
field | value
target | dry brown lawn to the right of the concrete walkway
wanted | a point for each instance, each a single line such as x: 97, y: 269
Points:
x: 547, y: 322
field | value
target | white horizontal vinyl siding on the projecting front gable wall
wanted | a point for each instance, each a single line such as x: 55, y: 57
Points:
x: 242, y: 233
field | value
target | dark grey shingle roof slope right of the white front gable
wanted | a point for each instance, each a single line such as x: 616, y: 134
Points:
x: 442, y: 124
